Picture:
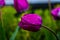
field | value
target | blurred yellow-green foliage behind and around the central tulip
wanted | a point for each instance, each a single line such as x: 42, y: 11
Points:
x: 10, y: 23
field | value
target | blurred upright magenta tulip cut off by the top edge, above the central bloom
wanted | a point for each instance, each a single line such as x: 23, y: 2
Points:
x: 21, y: 5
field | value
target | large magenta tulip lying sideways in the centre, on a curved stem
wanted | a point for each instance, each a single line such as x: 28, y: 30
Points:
x: 30, y: 22
